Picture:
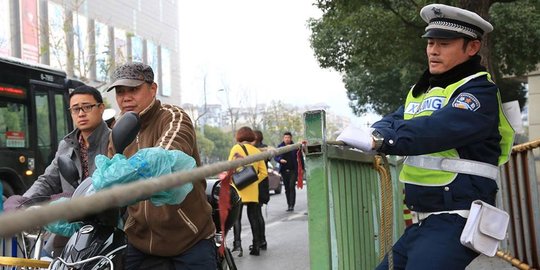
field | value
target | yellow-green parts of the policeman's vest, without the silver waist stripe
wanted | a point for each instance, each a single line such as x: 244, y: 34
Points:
x: 425, y: 105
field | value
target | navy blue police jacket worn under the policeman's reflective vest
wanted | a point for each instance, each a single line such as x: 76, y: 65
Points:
x: 473, y: 133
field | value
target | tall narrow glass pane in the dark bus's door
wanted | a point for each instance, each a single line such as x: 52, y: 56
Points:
x: 43, y: 126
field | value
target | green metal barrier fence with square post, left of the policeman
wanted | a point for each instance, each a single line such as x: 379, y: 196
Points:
x: 345, y: 204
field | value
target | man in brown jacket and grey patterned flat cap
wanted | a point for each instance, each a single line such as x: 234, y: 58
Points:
x: 182, y: 232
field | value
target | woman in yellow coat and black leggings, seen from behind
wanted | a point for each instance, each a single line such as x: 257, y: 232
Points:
x: 250, y: 194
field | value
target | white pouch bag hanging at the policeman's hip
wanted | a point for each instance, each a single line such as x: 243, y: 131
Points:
x: 485, y: 227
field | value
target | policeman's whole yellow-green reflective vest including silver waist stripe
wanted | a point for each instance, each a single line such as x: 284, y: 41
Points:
x: 423, y: 170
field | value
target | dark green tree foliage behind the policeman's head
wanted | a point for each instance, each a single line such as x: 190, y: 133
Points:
x: 376, y: 44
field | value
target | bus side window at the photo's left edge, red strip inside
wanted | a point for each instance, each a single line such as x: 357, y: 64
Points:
x: 13, y: 125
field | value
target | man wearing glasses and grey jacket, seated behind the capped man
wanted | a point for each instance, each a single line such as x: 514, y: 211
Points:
x: 89, y: 139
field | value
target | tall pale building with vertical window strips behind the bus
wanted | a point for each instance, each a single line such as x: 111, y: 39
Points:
x: 89, y: 38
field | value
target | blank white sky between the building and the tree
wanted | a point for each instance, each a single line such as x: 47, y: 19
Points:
x: 258, y: 51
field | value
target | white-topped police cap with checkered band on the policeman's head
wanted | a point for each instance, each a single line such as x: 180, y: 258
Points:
x: 452, y: 22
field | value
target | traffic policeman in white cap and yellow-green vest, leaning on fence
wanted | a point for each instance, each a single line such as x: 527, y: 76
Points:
x: 455, y: 135
